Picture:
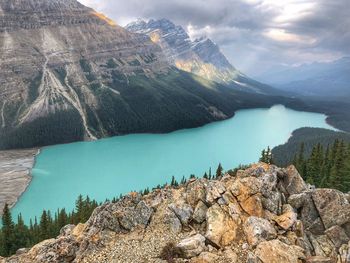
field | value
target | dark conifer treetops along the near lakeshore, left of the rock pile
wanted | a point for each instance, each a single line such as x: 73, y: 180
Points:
x: 16, y: 235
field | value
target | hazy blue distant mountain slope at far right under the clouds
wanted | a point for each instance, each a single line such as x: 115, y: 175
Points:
x: 317, y: 79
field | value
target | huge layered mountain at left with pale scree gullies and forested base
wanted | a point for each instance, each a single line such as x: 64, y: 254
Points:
x: 68, y: 73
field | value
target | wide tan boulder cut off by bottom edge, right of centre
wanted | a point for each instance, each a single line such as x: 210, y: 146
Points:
x: 274, y: 251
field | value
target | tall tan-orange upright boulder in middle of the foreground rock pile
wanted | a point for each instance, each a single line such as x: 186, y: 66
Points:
x: 221, y: 227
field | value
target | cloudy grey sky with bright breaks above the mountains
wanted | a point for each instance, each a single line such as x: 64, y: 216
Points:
x: 255, y: 35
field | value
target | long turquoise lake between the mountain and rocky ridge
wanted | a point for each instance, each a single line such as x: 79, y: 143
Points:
x: 108, y: 167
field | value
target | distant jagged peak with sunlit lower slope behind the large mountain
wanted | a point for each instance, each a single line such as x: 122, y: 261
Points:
x: 201, y: 57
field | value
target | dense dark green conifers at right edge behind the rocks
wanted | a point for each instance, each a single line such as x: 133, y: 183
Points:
x: 326, y: 167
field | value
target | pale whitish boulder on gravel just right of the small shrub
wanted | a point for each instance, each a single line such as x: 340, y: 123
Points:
x: 192, y: 246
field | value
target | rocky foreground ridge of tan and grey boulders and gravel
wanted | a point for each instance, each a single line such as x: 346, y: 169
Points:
x: 262, y: 214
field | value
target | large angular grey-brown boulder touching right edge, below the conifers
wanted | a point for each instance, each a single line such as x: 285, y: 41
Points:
x: 333, y: 207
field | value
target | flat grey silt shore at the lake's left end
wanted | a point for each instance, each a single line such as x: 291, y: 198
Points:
x: 15, y: 174
